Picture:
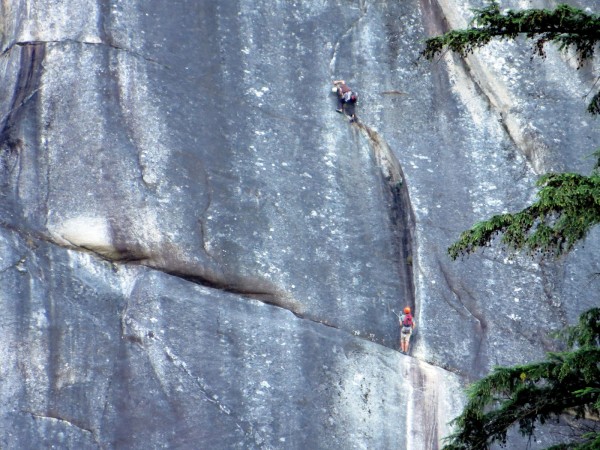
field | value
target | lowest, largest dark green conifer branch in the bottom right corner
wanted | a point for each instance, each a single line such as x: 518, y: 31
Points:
x: 526, y: 395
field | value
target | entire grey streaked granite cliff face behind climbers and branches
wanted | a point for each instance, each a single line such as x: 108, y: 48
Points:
x: 195, y: 249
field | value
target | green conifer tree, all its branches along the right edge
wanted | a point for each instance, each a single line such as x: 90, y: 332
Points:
x: 568, y: 206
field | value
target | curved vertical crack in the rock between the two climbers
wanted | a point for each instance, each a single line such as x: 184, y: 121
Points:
x: 400, y: 210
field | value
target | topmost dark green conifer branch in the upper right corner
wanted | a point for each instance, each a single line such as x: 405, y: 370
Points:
x: 566, y: 26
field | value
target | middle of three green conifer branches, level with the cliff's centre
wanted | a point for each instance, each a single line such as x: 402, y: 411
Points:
x: 568, y: 206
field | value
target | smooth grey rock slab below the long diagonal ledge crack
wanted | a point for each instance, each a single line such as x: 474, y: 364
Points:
x: 129, y: 357
